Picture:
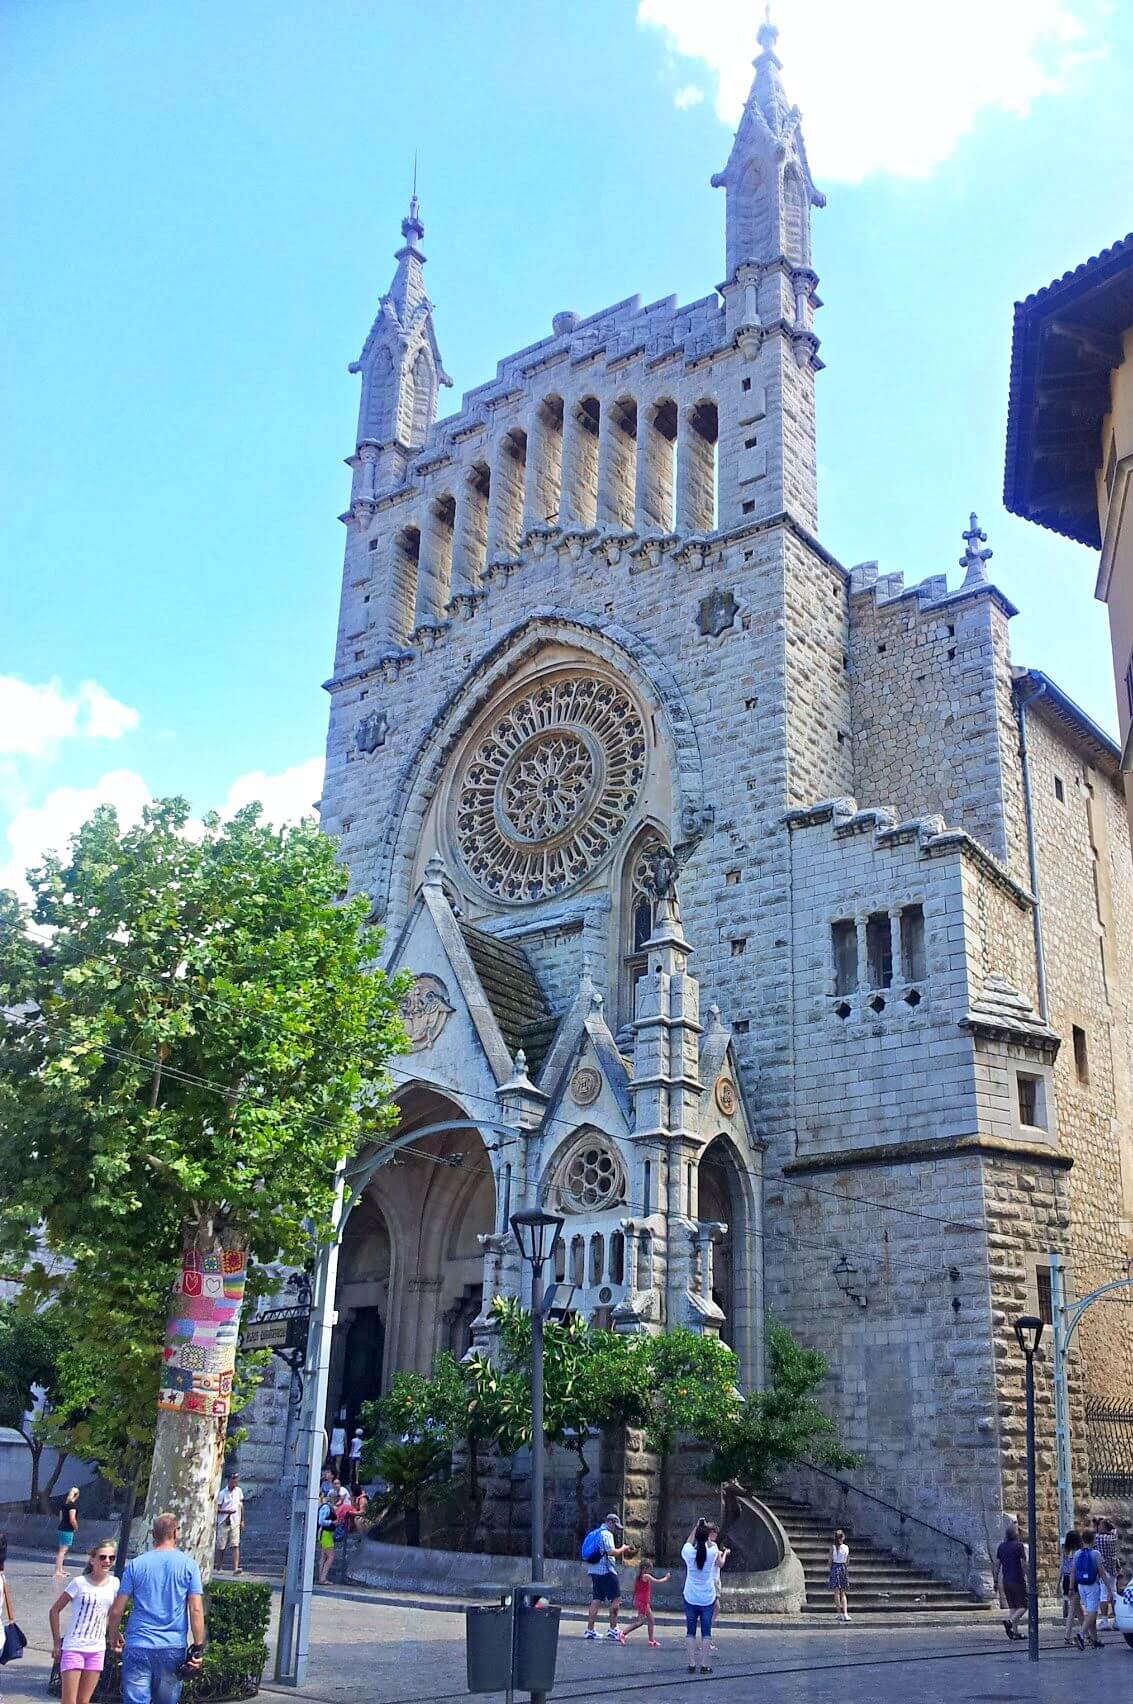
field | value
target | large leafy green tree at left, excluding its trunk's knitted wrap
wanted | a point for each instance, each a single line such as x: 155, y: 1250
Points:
x: 205, y: 1042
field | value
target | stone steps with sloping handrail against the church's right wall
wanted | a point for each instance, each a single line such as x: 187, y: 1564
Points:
x: 880, y: 1582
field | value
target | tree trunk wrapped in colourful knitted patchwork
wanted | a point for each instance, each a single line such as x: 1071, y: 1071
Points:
x: 197, y: 1388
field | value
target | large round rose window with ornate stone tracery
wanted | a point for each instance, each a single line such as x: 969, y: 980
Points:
x: 549, y: 783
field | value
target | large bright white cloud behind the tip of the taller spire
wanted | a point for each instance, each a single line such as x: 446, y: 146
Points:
x: 885, y: 86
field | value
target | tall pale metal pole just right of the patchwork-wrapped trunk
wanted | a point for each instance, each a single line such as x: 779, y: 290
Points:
x: 294, y: 1644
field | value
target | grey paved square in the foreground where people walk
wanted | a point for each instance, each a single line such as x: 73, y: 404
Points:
x: 391, y: 1652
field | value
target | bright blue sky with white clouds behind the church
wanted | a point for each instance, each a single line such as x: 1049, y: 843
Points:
x: 200, y: 217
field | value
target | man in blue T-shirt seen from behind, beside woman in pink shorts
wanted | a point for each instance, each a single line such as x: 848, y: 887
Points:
x: 164, y: 1587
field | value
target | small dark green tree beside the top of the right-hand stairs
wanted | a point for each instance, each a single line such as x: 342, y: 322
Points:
x: 781, y: 1424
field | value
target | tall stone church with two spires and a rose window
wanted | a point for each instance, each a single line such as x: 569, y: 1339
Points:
x: 769, y: 923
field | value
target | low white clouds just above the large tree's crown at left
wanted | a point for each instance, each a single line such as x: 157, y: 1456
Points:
x: 40, y: 829
